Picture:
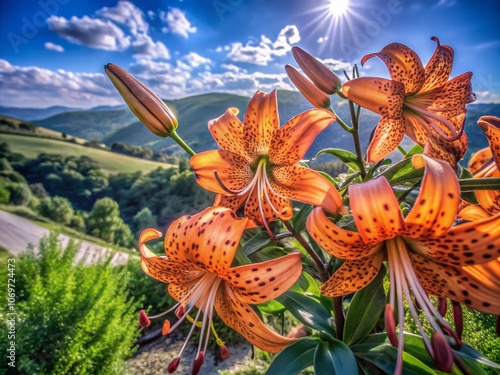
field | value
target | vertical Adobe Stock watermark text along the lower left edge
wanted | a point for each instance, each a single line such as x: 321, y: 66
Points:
x: 11, y: 312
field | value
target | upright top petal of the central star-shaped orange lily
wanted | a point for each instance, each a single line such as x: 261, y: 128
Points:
x: 260, y: 122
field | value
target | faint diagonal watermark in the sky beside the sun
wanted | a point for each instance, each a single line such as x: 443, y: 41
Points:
x: 363, y: 35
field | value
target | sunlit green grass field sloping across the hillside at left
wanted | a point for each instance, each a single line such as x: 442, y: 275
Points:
x: 109, y: 162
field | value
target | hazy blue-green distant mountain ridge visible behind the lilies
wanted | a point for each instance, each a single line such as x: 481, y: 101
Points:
x: 118, y: 124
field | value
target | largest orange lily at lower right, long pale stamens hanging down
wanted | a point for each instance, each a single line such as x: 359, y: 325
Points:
x: 425, y: 253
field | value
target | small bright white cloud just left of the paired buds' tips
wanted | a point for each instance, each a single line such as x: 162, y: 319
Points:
x: 266, y: 50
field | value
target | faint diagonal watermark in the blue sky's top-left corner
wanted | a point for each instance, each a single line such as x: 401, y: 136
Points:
x: 30, y: 26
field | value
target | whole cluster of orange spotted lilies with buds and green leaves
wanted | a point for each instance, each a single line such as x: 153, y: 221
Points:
x: 436, y: 230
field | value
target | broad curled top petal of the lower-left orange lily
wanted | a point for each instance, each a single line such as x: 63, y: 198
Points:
x: 209, y: 242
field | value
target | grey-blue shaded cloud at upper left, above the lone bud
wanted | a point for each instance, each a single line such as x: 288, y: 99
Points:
x: 90, y: 32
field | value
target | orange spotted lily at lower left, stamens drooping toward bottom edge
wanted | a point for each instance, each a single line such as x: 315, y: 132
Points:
x: 197, y: 266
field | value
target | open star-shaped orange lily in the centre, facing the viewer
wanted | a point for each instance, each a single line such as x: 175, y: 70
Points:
x: 257, y: 164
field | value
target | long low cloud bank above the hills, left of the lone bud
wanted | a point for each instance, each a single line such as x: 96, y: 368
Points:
x: 37, y: 87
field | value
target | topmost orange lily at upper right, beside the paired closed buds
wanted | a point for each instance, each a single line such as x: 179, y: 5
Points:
x: 419, y: 102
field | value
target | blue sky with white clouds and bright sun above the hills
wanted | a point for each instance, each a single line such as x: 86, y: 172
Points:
x: 52, y: 52
